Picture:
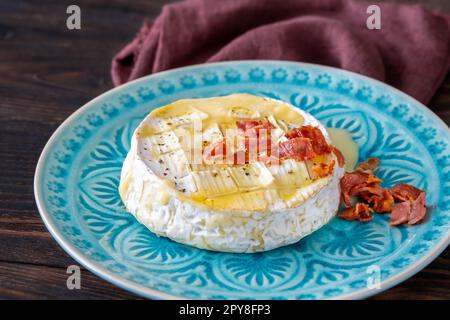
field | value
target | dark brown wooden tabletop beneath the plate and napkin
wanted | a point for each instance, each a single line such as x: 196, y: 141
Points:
x: 46, y: 73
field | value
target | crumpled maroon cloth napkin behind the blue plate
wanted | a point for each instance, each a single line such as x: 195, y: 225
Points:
x: 410, y: 52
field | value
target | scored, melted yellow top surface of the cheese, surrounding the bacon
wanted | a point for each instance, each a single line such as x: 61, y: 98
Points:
x: 170, y: 135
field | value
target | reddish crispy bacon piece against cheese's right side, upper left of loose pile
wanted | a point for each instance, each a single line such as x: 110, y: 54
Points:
x: 352, y: 183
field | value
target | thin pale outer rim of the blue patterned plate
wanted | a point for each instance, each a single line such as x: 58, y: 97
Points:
x: 156, y: 294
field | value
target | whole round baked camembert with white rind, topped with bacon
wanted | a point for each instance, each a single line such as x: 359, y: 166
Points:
x: 238, y: 173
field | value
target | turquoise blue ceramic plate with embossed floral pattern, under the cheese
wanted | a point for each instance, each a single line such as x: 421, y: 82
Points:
x: 78, y: 174
